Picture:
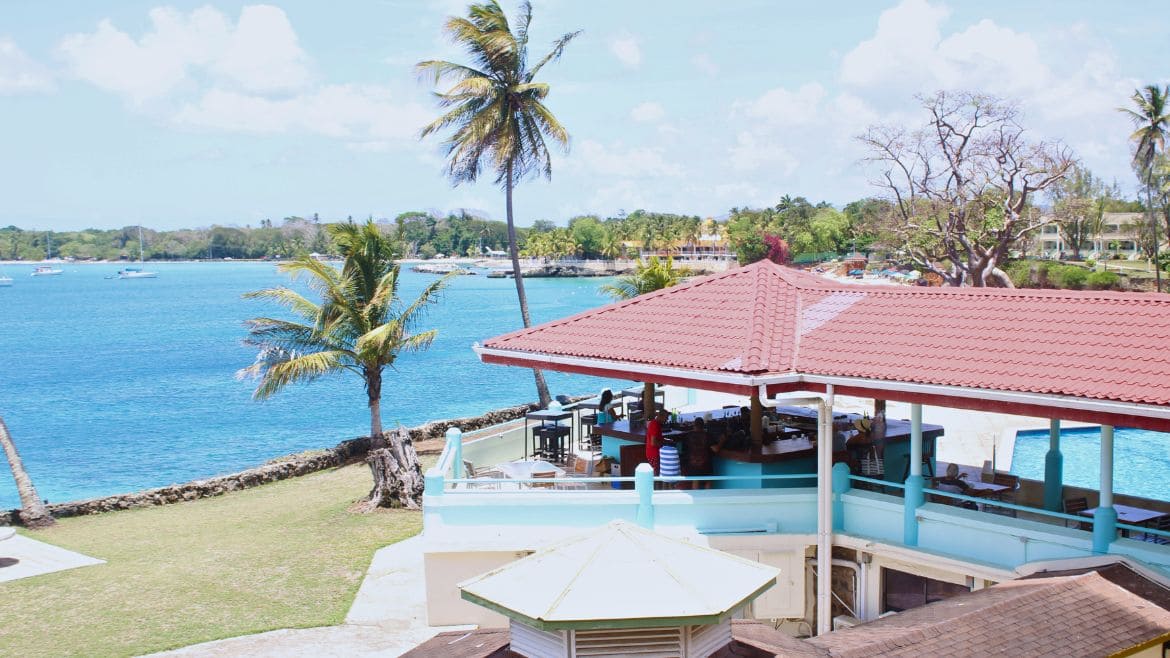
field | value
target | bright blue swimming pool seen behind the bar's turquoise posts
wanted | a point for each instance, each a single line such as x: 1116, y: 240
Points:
x: 1141, y: 460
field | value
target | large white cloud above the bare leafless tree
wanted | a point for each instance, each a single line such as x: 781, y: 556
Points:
x: 1068, y: 81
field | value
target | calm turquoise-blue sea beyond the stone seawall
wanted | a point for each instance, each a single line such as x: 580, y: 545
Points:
x: 112, y: 387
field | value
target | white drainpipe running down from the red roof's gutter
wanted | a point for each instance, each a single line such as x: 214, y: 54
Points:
x: 824, y: 406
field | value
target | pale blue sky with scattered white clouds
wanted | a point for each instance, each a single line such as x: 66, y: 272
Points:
x: 192, y: 114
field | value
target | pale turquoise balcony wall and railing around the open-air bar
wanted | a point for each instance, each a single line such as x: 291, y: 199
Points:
x: 996, y: 533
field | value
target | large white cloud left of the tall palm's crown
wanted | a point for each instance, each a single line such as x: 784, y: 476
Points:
x: 201, y: 72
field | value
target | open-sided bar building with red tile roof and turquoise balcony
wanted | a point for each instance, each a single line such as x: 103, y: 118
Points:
x: 790, y: 340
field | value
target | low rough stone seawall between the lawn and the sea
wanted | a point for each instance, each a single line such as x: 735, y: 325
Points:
x: 291, y: 467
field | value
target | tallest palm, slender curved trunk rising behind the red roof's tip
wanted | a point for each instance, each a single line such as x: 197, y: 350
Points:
x: 498, y: 114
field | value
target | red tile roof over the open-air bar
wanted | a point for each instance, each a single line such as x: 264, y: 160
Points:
x: 766, y: 320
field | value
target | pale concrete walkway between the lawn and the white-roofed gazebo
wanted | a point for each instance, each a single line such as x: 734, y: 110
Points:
x: 388, y: 619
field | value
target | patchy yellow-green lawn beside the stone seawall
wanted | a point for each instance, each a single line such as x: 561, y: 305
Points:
x: 283, y: 556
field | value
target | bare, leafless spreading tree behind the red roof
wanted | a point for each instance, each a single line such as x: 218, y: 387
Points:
x: 960, y: 187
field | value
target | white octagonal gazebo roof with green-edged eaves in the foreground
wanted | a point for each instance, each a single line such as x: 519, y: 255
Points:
x: 621, y: 577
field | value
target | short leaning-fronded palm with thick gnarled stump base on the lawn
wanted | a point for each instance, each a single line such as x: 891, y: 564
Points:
x: 360, y: 326
